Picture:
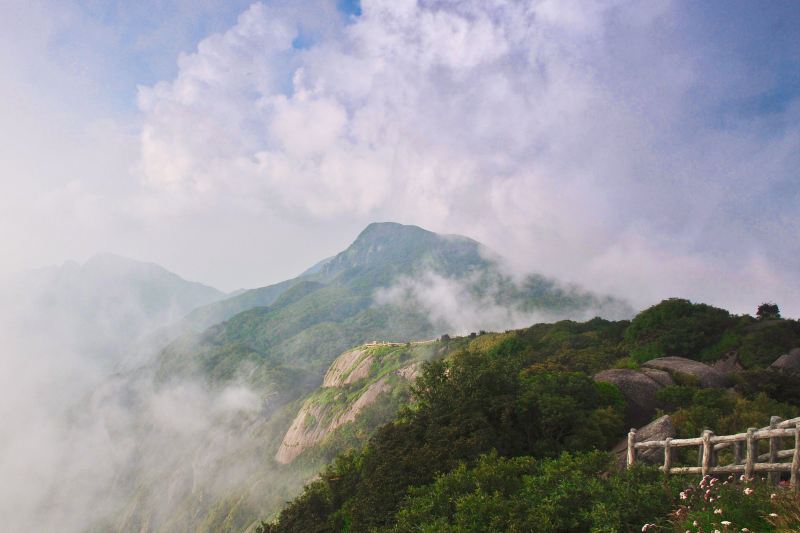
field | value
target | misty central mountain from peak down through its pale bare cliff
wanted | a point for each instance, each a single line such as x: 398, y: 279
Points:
x: 278, y: 342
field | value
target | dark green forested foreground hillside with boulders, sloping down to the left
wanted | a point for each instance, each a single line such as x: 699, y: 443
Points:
x: 510, y: 432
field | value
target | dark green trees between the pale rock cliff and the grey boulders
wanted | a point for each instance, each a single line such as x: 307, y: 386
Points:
x: 465, y: 406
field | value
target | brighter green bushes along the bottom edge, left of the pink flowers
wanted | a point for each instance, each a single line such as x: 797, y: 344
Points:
x: 568, y: 493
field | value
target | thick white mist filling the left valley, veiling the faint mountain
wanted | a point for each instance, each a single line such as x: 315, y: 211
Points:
x: 84, y: 426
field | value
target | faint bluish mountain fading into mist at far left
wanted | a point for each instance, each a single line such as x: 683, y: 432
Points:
x: 100, y: 308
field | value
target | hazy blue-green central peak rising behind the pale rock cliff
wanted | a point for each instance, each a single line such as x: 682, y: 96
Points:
x: 370, y: 291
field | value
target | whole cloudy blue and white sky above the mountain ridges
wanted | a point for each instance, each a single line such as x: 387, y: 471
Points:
x: 642, y: 148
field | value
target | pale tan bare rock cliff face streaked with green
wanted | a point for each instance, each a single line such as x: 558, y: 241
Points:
x: 354, y: 381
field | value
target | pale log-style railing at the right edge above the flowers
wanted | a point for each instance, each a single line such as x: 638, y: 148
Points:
x: 709, y: 446
